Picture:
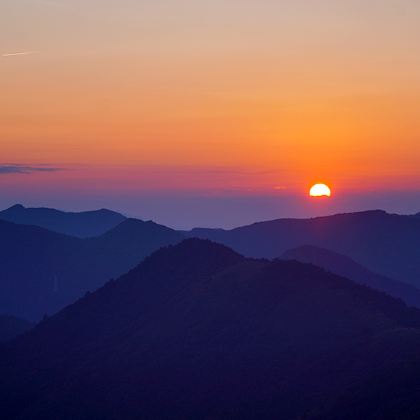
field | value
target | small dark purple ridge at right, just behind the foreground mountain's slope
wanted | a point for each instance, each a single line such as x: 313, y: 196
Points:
x: 346, y: 267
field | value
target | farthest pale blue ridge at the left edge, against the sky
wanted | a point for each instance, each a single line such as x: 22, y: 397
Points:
x: 83, y: 225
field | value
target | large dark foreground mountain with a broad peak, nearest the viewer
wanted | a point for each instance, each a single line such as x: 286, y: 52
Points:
x: 197, y: 331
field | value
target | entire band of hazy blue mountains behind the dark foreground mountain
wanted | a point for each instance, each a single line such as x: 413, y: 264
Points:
x: 41, y: 271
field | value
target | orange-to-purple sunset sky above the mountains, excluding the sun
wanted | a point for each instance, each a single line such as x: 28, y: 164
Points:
x: 211, y: 113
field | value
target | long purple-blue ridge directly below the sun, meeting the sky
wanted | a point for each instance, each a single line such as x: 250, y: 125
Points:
x: 384, y: 243
